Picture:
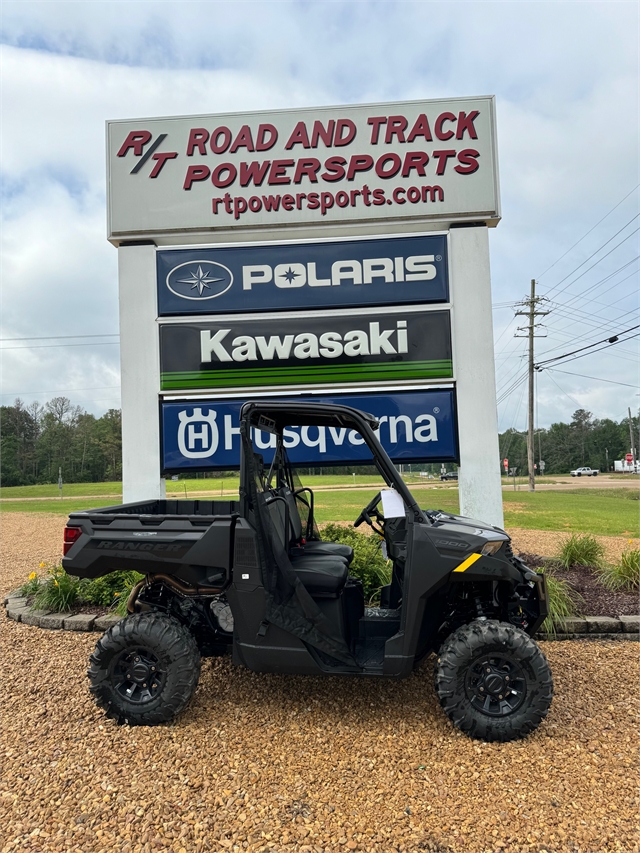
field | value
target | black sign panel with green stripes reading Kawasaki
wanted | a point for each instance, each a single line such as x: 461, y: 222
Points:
x: 316, y: 349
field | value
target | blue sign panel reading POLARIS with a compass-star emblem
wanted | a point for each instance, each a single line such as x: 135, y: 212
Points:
x: 340, y: 273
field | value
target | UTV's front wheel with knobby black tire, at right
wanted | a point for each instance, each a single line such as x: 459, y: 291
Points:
x: 493, y: 681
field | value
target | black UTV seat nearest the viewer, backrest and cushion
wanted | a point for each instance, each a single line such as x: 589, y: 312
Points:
x: 323, y: 575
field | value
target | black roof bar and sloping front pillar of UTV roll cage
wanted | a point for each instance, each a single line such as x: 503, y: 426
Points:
x: 358, y: 420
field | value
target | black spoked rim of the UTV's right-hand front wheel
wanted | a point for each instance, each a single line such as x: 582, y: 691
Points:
x: 495, y: 684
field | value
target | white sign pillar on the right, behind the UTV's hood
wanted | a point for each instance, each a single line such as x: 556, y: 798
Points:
x: 472, y: 330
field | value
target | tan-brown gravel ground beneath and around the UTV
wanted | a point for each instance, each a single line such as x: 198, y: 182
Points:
x: 264, y: 762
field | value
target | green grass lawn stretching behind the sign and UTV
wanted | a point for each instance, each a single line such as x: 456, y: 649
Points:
x: 612, y: 512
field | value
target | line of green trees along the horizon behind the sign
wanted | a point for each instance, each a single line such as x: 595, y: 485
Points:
x: 39, y: 441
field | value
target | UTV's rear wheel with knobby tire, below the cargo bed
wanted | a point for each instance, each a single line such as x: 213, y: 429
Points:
x: 144, y: 669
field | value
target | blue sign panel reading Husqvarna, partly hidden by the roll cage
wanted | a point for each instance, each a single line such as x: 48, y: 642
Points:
x: 415, y: 426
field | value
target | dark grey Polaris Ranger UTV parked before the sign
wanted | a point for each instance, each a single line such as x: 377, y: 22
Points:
x: 253, y: 576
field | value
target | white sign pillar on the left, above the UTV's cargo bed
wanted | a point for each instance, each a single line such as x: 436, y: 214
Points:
x: 140, y: 370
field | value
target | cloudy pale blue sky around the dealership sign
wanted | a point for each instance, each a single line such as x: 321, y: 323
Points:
x: 565, y: 75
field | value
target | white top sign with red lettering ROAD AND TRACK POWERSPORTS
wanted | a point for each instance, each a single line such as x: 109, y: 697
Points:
x: 420, y: 159
